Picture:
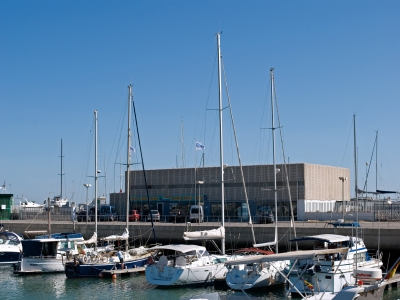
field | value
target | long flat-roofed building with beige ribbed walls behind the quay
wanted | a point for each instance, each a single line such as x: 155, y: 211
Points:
x: 313, y: 188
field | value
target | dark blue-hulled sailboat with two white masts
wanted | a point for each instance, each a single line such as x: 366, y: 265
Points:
x: 92, y: 263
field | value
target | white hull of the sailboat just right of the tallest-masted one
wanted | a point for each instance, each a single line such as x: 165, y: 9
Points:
x: 244, y: 277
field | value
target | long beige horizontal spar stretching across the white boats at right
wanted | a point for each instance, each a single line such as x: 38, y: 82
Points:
x: 306, y: 254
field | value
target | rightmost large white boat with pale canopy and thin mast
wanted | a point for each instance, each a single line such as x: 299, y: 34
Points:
x: 324, y: 276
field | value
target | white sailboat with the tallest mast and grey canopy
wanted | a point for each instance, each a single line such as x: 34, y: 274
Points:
x: 178, y: 265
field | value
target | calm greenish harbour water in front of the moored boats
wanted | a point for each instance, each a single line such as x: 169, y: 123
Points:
x: 57, y: 286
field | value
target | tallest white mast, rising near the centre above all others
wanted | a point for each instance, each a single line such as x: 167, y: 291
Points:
x: 221, y: 140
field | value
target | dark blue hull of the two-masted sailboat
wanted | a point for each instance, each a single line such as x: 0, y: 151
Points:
x: 79, y: 270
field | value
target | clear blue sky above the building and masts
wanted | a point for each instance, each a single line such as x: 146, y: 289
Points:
x: 61, y: 60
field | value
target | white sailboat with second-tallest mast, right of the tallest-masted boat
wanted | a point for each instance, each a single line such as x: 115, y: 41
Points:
x: 243, y: 275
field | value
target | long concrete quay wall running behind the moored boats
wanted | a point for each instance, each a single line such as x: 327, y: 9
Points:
x: 382, y: 235
